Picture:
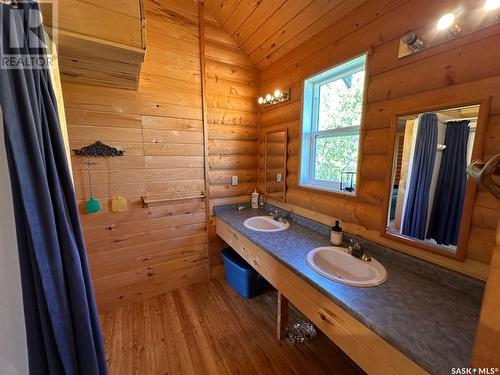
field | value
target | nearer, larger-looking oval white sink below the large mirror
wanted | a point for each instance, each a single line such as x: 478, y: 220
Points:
x: 336, y: 264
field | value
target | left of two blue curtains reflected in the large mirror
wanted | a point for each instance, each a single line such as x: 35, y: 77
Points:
x: 417, y: 203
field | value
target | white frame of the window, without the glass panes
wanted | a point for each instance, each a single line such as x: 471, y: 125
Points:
x: 310, y: 117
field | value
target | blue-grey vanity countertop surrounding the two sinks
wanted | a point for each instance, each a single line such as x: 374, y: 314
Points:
x: 425, y: 311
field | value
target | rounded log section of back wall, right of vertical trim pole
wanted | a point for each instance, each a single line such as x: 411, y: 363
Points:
x: 232, y: 116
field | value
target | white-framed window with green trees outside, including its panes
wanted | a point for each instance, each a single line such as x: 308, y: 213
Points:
x: 333, y: 106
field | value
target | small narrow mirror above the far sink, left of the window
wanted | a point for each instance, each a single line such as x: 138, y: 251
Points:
x: 276, y: 151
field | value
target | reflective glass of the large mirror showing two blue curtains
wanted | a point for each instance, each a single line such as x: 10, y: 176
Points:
x: 431, y: 153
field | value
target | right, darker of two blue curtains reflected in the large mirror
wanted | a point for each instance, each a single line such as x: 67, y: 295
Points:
x: 448, y: 202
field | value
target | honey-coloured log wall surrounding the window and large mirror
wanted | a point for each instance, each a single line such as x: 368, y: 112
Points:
x: 462, y: 69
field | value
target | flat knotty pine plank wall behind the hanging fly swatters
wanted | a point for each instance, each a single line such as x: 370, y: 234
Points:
x: 146, y: 251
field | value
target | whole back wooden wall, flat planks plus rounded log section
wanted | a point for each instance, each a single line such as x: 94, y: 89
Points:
x: 148, y: 251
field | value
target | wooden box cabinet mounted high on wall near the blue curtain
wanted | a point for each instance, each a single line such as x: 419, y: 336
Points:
x: 99, y: 42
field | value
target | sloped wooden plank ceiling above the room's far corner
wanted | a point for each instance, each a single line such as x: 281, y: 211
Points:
x: 268, y: 29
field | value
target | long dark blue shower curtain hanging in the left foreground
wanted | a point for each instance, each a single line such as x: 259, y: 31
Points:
x: 62, y: 325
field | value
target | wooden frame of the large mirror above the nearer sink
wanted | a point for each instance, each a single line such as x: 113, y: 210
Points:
x: 471, y: 187
